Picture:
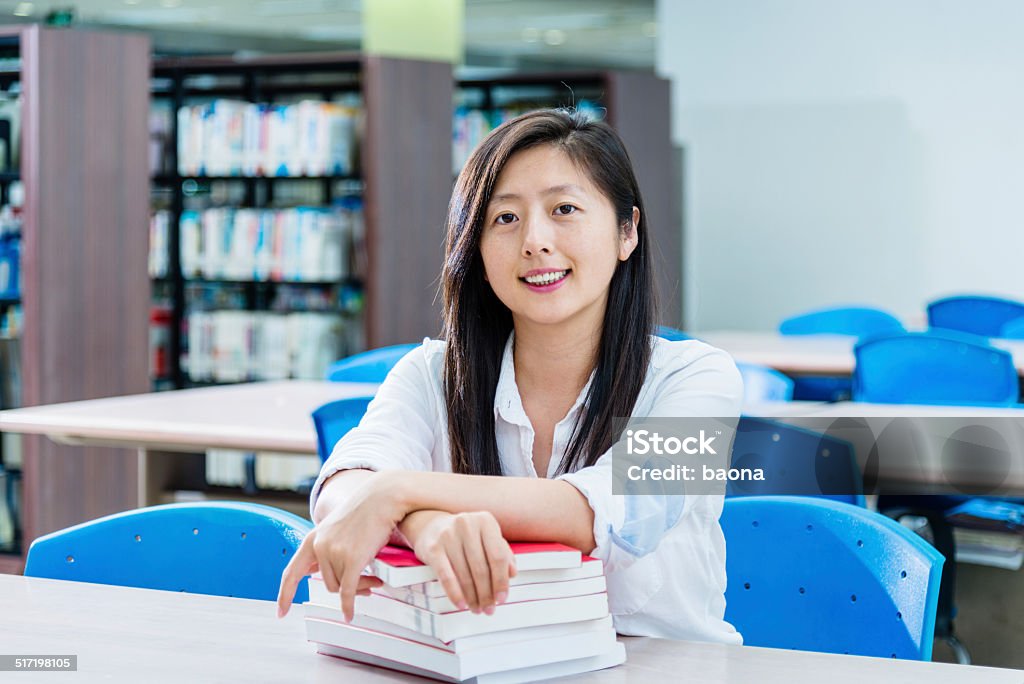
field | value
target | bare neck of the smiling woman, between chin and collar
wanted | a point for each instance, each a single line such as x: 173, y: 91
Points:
x: 560, y: 358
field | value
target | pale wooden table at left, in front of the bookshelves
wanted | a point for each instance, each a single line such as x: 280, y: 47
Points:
x: 172, y: 431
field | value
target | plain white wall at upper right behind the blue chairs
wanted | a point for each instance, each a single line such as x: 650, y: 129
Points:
x: 846, y: 151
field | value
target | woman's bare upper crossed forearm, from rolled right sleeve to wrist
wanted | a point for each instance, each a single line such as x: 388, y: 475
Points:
x: 528, y: 509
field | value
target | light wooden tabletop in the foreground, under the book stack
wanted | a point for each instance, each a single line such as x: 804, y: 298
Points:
x: 138, y: 635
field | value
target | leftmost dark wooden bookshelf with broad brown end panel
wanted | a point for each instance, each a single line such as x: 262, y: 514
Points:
x: 84, y: 292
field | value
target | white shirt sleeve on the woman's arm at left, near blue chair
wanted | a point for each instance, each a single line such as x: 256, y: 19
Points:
x: 398, y: 431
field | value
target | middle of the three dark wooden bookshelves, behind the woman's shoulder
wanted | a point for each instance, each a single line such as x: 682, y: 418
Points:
x: 404, y: 149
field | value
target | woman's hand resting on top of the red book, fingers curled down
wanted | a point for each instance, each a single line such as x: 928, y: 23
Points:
x: 472, y: 559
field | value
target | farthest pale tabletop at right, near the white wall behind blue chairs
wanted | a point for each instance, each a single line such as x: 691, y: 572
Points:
x: 809, y: 355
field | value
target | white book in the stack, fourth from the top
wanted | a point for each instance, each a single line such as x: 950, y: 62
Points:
x: 451, y: 626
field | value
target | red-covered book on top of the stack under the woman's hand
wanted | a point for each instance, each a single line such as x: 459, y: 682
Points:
x: 399, y: 567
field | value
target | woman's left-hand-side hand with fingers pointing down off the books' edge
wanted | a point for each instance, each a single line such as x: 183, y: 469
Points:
x: 344, y: 544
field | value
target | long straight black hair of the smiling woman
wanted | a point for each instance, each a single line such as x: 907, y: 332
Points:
x: 478, y: 324
